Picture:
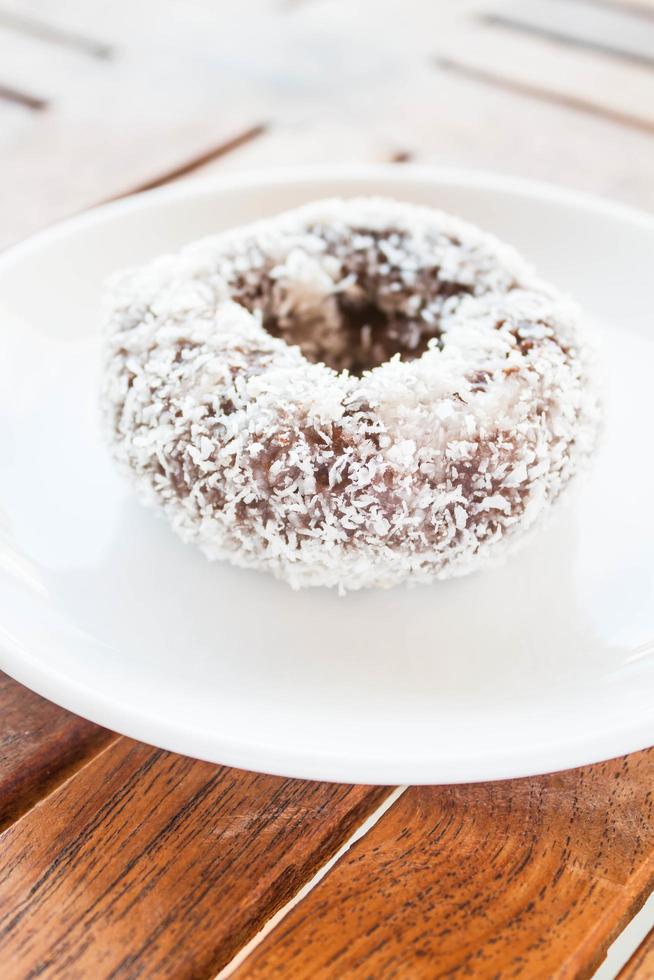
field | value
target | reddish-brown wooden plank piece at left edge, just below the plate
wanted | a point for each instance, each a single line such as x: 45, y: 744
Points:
x: 40, y: 746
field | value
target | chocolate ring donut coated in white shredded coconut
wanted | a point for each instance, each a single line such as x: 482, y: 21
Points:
x: 355, y: 393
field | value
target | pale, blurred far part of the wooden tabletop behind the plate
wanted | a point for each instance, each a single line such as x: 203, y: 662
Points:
x: 99, y: 98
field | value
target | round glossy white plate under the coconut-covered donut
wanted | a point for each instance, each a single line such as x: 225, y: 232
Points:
x: 543, y: 664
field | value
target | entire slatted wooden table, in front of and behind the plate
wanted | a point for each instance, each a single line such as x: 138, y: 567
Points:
x: 120, y: 860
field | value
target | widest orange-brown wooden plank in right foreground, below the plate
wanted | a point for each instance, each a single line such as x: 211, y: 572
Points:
x: 524, y: 878
